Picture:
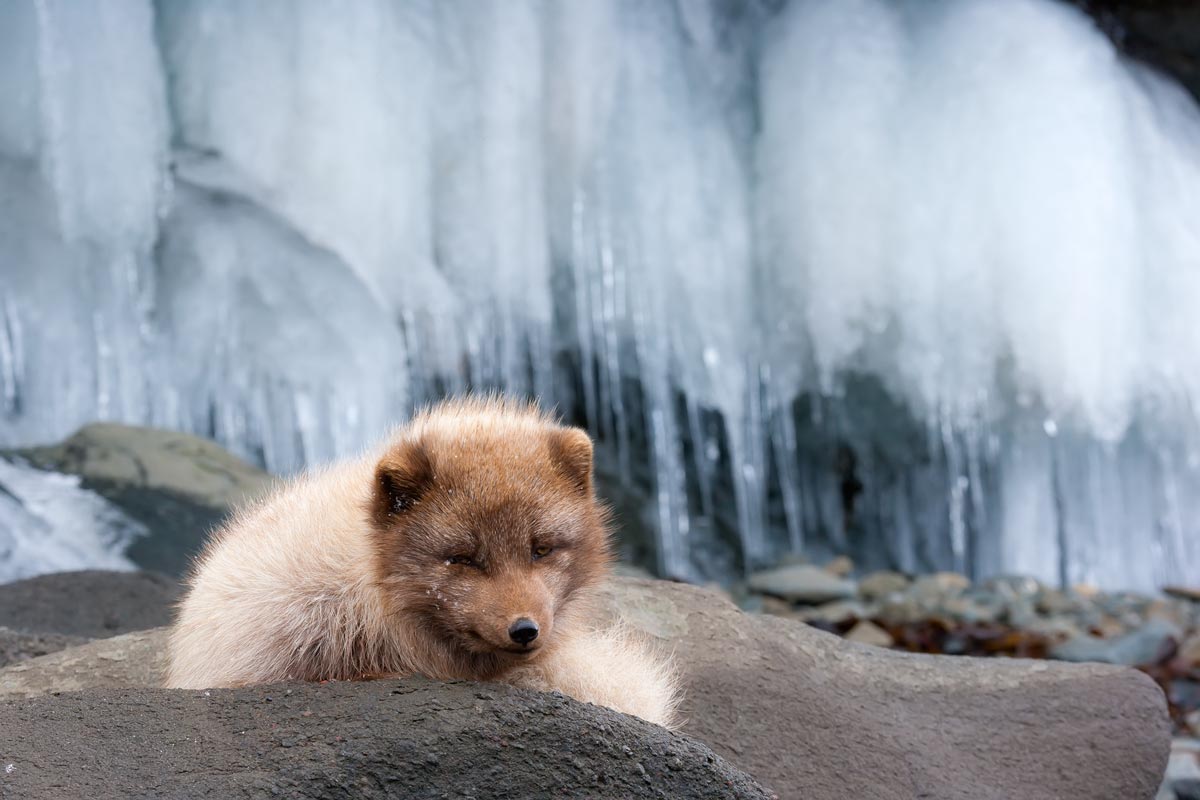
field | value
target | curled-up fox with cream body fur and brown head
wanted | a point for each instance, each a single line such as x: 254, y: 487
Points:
x: 470, y: 546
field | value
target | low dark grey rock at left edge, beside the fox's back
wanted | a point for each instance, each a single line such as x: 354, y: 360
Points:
x: 89, y: 604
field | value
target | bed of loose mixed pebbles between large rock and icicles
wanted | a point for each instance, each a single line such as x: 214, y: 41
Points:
x: 1007, y: 616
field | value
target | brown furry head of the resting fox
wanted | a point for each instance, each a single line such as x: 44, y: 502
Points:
x: 487, y: 530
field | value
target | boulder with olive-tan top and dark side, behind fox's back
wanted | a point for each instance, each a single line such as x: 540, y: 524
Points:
x: 177, y: 485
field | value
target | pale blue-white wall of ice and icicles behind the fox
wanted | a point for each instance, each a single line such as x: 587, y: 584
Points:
x: 910, y: 281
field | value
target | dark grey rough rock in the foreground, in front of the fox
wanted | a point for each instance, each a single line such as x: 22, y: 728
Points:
x: 385, y: 739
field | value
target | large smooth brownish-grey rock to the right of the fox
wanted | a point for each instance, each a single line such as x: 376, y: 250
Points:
x: 823, y: 719
